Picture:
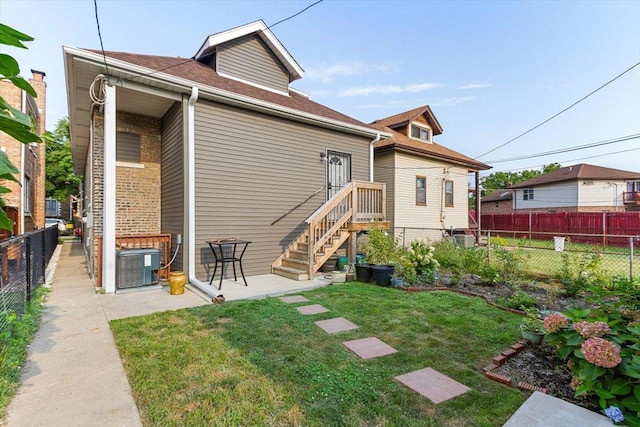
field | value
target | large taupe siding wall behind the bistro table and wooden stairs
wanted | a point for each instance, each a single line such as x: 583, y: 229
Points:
x: 250, y: 169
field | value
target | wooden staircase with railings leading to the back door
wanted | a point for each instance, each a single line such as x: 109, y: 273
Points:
x: 358, y: 206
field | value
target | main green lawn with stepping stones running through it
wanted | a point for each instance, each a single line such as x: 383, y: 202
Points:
x: 259, y: 363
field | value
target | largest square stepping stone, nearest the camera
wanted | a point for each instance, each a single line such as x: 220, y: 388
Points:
x: 432, y: 384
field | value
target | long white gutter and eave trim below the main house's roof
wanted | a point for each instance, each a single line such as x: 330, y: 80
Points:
x: 213, y: 93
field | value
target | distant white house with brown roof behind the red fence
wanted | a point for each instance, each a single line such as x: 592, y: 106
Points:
x: 579, y: 188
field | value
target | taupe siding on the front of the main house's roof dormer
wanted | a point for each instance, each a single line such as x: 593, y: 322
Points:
x: 248, y: 58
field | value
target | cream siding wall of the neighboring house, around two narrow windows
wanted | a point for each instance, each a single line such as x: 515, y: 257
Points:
x: 407, y: 214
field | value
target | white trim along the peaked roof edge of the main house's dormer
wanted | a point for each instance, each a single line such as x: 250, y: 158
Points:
x: 267, y: 36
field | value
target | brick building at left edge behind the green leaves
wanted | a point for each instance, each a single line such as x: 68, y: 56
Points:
x: 25, y: 202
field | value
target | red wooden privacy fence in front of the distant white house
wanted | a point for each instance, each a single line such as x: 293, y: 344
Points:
x: 584, y: 227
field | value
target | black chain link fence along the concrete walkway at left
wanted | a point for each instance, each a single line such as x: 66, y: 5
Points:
x: 23, y: 260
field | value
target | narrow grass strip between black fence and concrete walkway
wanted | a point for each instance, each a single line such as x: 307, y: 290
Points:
x: 14, y: 341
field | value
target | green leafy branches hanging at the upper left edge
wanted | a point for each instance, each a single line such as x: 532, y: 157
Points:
x: 13, y: 122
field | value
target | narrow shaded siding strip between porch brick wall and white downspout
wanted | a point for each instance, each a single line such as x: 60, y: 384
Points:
x: 172, y: 178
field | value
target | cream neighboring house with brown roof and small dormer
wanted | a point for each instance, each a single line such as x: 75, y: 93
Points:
x: 427, y: 183
